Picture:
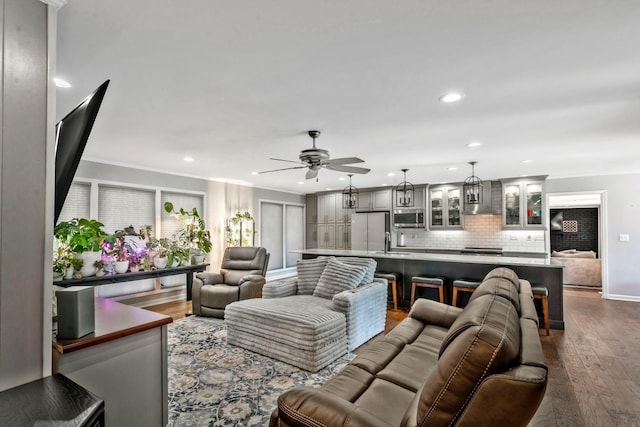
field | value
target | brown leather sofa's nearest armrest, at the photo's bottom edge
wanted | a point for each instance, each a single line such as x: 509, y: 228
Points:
x: 306, y: 406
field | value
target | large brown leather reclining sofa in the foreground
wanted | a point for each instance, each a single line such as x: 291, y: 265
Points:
x: 442, y: 366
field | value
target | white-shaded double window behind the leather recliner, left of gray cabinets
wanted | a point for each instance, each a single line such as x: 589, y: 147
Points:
x: 281, y: 230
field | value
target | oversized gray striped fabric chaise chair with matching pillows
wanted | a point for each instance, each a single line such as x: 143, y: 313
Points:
x: 333, y: 306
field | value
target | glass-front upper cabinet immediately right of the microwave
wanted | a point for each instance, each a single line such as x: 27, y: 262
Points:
x: 445, y: 207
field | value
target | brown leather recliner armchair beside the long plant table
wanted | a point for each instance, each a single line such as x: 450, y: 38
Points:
x: 241, y: 277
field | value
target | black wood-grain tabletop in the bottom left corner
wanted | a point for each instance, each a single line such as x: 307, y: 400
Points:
x: 50, y: 401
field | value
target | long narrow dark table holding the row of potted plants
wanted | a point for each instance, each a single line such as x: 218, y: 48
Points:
x: 189, y: 270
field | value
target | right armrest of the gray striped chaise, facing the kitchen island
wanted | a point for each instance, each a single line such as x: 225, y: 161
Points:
x: 365, y: 308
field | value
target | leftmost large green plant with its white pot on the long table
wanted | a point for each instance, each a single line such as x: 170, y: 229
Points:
x: 84, y: 237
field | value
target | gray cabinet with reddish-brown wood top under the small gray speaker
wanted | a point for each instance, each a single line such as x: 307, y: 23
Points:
x: 124, y: 361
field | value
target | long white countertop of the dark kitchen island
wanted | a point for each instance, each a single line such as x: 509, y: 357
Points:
x: 468, y: 259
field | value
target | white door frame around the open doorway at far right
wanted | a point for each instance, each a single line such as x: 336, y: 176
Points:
x: 602, y: 229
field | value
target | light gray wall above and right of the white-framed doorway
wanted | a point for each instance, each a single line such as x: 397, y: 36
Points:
x: 622, y: 216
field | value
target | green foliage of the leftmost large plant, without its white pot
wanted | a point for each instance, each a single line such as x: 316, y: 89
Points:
x: 80, y: 234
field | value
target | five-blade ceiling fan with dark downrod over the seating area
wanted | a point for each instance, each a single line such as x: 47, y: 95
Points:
x: 315, y: 159
